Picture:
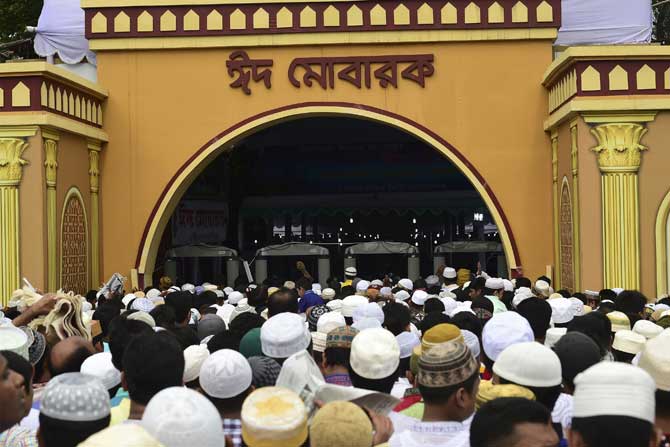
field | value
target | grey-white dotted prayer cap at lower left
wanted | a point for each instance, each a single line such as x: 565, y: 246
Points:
x: 75, y: 397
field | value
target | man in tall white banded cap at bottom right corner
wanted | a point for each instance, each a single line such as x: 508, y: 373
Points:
x: 614, y: 406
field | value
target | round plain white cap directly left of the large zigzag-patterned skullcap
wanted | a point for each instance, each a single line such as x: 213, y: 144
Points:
x: 375, y: 354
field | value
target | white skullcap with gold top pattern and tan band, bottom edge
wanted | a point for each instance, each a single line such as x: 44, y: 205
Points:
x: 274, y: 416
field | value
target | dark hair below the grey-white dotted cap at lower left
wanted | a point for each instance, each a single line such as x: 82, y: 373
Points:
x: 61, y: 433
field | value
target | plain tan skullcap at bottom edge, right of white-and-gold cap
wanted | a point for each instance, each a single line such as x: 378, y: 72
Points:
x: 340, y: 423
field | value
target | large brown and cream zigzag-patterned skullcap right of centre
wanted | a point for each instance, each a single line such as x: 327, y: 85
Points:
x: 446, y: 364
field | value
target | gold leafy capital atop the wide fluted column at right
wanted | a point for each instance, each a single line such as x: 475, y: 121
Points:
x: 619, y: 146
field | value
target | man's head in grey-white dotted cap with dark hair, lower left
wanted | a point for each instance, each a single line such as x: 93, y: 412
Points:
x: 73, y: 407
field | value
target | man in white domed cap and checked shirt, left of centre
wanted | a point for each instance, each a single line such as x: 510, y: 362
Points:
x: 225, y: 378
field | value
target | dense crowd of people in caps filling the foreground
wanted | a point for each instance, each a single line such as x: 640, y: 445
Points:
x: 453, y: 359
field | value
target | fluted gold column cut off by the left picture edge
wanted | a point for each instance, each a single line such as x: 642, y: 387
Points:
x: 11, y: 171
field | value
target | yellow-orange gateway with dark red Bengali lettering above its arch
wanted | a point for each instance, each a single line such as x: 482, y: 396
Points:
x: 563, y: 150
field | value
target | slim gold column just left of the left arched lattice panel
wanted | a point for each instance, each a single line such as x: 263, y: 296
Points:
x: 51, y: 165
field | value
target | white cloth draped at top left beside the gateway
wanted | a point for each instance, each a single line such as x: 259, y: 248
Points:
x: 60, y: 29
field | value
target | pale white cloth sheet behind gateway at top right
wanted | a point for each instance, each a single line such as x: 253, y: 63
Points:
x: 589, y: 22
